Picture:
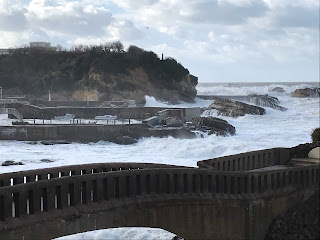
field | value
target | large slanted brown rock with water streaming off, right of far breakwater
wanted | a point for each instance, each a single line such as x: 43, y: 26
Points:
x: 232, y: 108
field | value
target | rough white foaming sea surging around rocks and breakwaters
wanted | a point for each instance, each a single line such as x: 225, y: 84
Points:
x: 253, y: 132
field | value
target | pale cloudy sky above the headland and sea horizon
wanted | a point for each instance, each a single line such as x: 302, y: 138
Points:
x: 216, y: 40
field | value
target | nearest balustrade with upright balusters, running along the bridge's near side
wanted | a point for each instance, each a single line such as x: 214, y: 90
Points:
x: 23, y: 200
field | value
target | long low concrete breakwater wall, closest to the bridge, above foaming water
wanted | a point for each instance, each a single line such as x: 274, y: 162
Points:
x: 87, y: 133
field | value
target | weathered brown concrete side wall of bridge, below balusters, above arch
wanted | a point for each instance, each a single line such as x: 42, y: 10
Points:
x: 193, y: 217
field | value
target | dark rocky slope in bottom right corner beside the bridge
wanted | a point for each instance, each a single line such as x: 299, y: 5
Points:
x: 300, y: 222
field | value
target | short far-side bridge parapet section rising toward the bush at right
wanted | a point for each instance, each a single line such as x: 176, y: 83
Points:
x: 249, y: 160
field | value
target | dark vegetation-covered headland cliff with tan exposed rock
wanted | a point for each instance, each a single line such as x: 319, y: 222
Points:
x: 91, y: 75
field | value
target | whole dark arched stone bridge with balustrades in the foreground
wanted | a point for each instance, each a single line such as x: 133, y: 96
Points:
x: 233, y: 197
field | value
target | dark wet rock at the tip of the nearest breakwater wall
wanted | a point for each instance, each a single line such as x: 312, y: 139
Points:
x: 214, y: 125
